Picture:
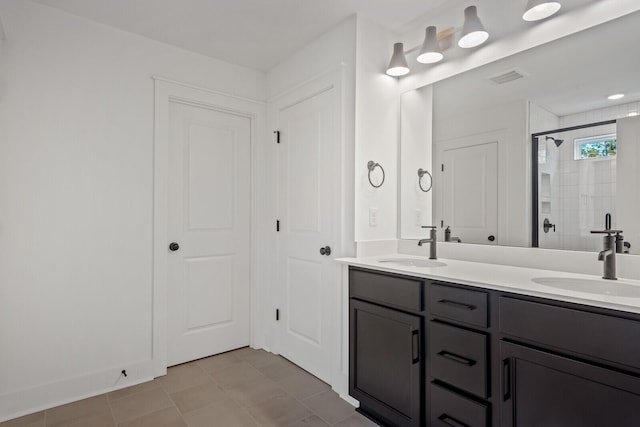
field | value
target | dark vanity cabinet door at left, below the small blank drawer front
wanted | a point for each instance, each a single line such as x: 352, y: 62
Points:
x: 385, y: 358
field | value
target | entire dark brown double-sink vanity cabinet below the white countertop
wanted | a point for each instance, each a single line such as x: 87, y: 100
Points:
x: 437, y: 354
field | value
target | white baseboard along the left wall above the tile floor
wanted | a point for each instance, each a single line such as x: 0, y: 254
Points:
x: 24, y: 402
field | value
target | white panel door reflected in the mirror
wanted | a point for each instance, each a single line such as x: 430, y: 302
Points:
x: 470, y: 192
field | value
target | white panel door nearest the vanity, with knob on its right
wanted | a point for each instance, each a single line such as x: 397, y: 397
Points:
x: 306, y: 214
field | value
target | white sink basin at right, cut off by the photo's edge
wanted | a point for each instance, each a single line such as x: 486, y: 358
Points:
x: 591, y: 286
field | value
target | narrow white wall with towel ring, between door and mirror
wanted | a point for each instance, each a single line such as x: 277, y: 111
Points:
x: 377, y: 134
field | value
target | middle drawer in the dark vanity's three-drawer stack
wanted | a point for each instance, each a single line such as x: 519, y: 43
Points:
x: 459, y: 357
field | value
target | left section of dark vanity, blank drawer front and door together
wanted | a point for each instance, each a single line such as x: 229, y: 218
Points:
x: 386, y: 347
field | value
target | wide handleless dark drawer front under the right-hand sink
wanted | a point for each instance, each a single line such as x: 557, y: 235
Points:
x: 595, y: 335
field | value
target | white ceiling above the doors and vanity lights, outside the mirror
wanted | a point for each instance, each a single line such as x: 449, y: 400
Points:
x: 261, y: 33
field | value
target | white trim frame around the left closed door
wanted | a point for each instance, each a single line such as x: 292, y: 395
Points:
x: 166, y: 91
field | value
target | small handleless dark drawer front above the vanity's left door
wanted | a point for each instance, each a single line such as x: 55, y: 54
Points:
x: 395, y: 291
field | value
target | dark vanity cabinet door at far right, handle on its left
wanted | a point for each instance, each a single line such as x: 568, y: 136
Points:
x: 543, y: 389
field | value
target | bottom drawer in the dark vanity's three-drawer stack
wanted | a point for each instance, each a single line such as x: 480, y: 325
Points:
x: 449, y: 409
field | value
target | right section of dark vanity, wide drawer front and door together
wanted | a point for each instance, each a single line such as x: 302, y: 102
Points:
x: 567, y: 367
